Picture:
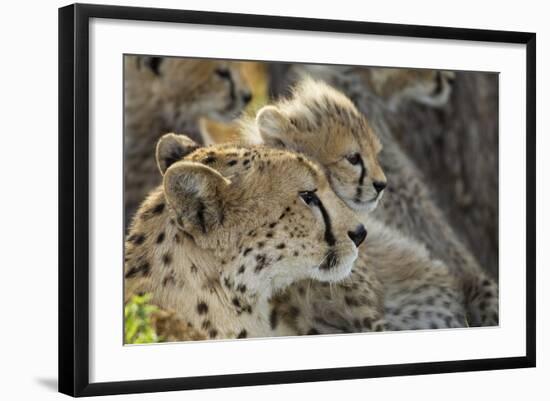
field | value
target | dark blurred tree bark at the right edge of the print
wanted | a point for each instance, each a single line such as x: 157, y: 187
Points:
x: 456, y: 147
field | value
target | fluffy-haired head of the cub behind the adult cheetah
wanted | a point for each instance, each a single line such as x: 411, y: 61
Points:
x: 325, y: 125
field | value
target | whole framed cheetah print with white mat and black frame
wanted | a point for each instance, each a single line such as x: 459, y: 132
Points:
x: 250, y: 199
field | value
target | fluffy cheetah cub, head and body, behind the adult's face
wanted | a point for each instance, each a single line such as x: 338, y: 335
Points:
x: 417, y: 291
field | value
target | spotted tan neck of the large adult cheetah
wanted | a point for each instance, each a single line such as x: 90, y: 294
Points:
x: 191, y: 281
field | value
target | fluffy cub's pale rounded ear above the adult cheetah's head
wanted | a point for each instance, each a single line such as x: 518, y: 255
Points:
x: 274, y: 127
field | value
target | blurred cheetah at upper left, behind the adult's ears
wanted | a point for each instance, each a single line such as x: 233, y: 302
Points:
x: 164, y: 94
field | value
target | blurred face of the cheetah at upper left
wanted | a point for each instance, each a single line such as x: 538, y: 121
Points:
x: 212, y: 88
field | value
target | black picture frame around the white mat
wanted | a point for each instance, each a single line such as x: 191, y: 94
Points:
x: 74, y: 201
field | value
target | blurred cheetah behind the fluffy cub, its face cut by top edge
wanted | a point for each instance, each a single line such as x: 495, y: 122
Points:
x: 420, y: 217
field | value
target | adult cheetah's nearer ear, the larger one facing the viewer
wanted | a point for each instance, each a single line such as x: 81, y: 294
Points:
x: 196, y: 193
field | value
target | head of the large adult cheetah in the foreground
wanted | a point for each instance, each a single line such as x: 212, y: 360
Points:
x: 268, y: 216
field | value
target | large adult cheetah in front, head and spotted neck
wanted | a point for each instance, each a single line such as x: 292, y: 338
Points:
x: 229, y: 227
